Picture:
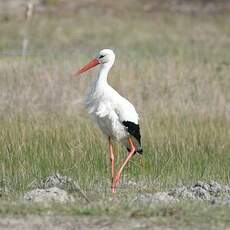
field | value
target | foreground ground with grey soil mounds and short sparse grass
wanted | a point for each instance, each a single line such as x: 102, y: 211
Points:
x: 200, y: 206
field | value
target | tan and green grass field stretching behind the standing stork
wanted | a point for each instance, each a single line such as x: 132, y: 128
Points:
x: 173, y: 67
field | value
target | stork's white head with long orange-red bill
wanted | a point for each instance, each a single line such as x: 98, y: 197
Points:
x: 104, y: 57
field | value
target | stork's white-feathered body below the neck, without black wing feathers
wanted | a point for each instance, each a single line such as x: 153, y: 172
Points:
x: 108, y: 109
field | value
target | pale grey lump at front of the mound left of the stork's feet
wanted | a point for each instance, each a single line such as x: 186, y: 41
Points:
x: 53, y: 194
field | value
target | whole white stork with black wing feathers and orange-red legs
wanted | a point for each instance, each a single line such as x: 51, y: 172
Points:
x: 115, y: 115
